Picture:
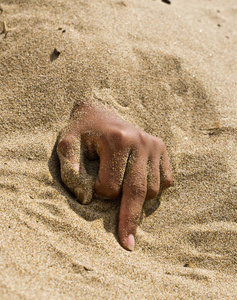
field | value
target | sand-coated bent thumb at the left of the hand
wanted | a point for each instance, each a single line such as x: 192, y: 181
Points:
x: 72, y: 168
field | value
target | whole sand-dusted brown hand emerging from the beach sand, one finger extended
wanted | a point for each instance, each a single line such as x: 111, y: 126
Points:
x: 130, y: 162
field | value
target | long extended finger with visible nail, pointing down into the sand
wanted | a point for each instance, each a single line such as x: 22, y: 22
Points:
x: 133, y: 196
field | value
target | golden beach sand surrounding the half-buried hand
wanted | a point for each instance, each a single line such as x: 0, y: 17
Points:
x: 169, y: 69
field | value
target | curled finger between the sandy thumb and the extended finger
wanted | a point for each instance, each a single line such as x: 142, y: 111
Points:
x: 111, y: 172
